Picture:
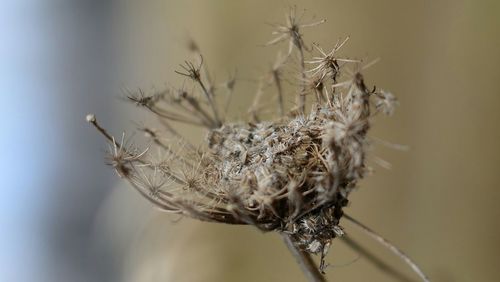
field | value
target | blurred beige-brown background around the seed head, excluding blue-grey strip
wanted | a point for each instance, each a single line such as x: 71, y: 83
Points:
x: 439, y: 202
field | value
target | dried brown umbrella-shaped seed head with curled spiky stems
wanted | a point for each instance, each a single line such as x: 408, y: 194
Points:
x: 292, y: 174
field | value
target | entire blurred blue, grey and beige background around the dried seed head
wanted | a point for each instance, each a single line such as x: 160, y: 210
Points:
x: 65, y: 216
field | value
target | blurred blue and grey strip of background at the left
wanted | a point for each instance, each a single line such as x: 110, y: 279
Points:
x: 56, y: 62
